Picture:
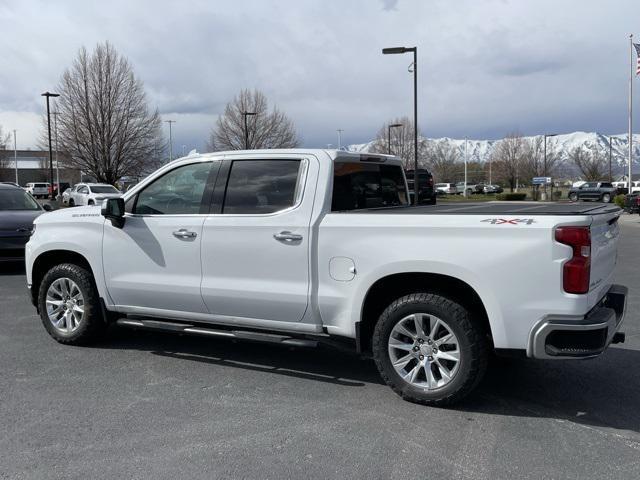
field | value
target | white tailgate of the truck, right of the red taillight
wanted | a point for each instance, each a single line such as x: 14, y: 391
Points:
x: 605, y: 233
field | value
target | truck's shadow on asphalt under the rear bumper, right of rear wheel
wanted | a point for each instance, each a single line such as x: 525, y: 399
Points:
x: 602, y: 392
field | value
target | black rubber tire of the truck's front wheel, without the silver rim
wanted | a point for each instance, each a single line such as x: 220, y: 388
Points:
x: 92, y: 324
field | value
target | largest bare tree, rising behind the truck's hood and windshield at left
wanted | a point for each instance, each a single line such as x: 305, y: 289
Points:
x: 105, y: 124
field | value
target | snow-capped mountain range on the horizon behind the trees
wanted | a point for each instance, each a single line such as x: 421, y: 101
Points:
x: 480, y: 150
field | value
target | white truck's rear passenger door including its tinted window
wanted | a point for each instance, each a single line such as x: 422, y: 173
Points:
x: 255, y: 242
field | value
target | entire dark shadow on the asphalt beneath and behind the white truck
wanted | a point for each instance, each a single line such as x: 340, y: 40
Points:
x: 603, y: 392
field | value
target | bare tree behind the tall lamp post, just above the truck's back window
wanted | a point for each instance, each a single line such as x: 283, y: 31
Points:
x: 401, y: 143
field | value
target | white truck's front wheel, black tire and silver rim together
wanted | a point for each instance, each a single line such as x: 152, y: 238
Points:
x: 69, y: 305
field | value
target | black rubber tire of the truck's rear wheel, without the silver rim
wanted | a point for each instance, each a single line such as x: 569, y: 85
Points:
x: 473, y: 347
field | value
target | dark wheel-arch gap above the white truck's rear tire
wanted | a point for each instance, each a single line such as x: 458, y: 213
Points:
x: 393, y: 286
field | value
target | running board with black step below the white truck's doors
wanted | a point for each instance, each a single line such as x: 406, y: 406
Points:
x: 210, y: 332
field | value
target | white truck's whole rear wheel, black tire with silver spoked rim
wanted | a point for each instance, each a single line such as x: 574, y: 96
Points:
x: 428, y: 350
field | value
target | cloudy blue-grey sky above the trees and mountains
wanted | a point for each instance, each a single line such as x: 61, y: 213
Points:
x: 485, y: 67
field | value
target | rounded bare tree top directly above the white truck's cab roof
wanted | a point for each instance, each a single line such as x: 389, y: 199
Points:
x: 264, y: 129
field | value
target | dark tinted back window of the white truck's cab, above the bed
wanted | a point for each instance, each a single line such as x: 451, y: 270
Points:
x: 358, y: 185
